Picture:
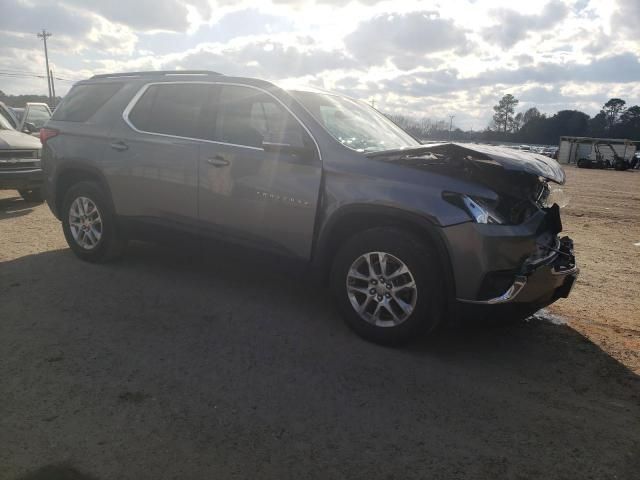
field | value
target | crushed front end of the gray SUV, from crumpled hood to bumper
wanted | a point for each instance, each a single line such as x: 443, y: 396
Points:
x: 510, y: 255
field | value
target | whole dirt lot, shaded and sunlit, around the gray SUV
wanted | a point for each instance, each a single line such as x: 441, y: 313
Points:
x: 168, y: 365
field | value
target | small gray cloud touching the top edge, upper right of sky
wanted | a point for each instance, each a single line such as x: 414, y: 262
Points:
x: 512, y: 26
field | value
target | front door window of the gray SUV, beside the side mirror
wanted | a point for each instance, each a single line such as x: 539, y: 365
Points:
x: 246, y: 116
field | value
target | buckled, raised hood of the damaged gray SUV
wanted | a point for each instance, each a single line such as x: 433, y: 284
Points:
x: 481, y: 156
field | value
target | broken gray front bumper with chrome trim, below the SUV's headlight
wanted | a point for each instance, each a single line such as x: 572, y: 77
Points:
x: 494, y: 264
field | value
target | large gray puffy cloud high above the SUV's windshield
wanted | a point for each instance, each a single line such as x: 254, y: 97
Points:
x: 404, y: 38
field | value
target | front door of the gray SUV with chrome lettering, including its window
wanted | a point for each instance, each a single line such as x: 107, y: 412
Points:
x: 264, y: 198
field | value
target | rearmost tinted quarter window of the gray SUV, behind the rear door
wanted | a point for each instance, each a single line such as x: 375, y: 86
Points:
x: 83, y: 101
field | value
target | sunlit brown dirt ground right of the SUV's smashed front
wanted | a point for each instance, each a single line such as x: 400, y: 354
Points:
x: 603, y: 218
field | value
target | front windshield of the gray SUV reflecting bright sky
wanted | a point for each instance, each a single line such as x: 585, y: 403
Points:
x: 355, y: 124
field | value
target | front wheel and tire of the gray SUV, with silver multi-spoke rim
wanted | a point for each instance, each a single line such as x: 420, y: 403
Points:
x: 398, y: 247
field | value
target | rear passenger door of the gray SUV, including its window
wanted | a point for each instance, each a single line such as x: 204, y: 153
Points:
x: 153, y: 155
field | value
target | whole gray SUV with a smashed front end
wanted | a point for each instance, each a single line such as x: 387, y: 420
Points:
x: 406, y: 234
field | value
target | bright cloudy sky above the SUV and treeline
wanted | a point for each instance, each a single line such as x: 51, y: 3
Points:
x: 416, y: 58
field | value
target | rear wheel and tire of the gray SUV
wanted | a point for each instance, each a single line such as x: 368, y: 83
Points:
x: 88, y: 245
